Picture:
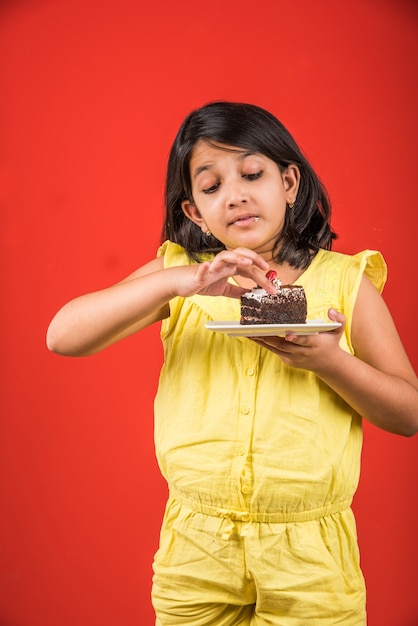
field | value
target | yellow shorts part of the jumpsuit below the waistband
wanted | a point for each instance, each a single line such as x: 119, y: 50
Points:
x: 217, y: 571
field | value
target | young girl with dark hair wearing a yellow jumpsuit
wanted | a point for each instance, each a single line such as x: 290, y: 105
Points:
x: 259, y: 439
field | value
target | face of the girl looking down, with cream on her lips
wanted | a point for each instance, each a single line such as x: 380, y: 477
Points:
x: 239, y: 196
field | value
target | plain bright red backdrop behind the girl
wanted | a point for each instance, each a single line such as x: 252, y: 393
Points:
x: 92, y: 94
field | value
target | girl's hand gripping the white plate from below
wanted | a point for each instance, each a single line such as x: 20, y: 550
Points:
x: 308, y: 352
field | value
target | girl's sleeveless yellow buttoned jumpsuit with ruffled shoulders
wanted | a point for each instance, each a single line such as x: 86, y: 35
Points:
x: 262, y: 461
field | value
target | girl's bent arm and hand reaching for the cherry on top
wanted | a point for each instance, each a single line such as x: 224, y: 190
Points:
x: 96, y: 320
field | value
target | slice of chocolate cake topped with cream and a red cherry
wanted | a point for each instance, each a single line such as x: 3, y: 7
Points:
x: 287, y: 306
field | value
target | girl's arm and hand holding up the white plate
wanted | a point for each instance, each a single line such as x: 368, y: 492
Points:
x: 378, y: 381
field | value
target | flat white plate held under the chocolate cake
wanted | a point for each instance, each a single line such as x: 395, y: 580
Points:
x: 312, y: 327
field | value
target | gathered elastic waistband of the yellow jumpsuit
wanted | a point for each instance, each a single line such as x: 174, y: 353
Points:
x: 284, y: 517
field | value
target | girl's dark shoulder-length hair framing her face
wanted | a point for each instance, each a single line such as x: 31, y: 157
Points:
x: 306, y: 226
